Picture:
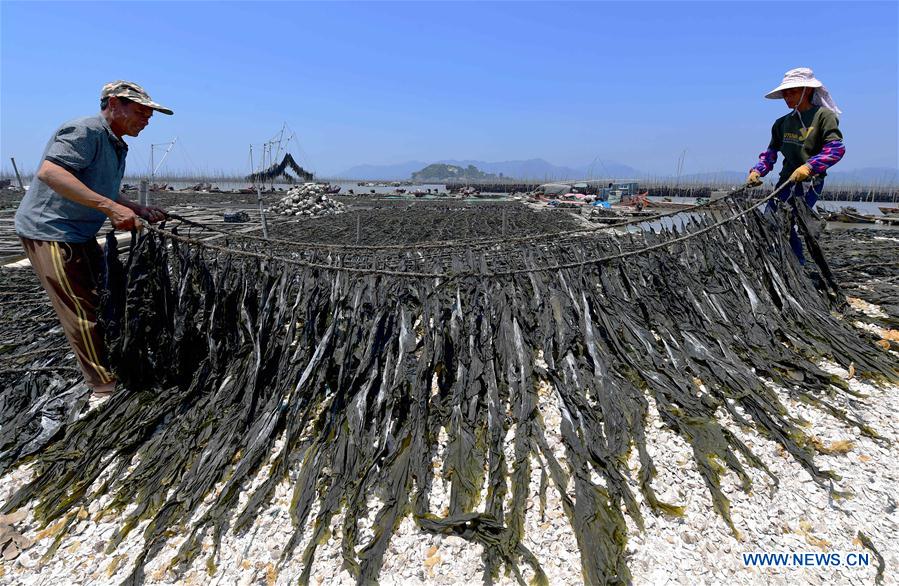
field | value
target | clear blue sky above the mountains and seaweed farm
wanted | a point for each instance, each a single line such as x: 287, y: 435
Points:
x: 381, y: 83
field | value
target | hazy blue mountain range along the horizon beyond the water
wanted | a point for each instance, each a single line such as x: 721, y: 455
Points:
x: 541, y: 169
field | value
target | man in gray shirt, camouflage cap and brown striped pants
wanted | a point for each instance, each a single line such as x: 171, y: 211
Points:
x: 75, y: 189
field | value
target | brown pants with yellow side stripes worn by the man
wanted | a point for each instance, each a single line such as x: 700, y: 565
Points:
x: 70, y: 273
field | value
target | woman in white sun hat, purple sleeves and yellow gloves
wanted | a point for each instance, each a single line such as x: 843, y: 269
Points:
x: 809, y: 138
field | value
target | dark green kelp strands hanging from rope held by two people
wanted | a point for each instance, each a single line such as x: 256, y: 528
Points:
x: 353, y: 360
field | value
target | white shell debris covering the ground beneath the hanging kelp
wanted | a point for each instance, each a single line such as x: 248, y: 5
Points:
x: 698, y: 548
